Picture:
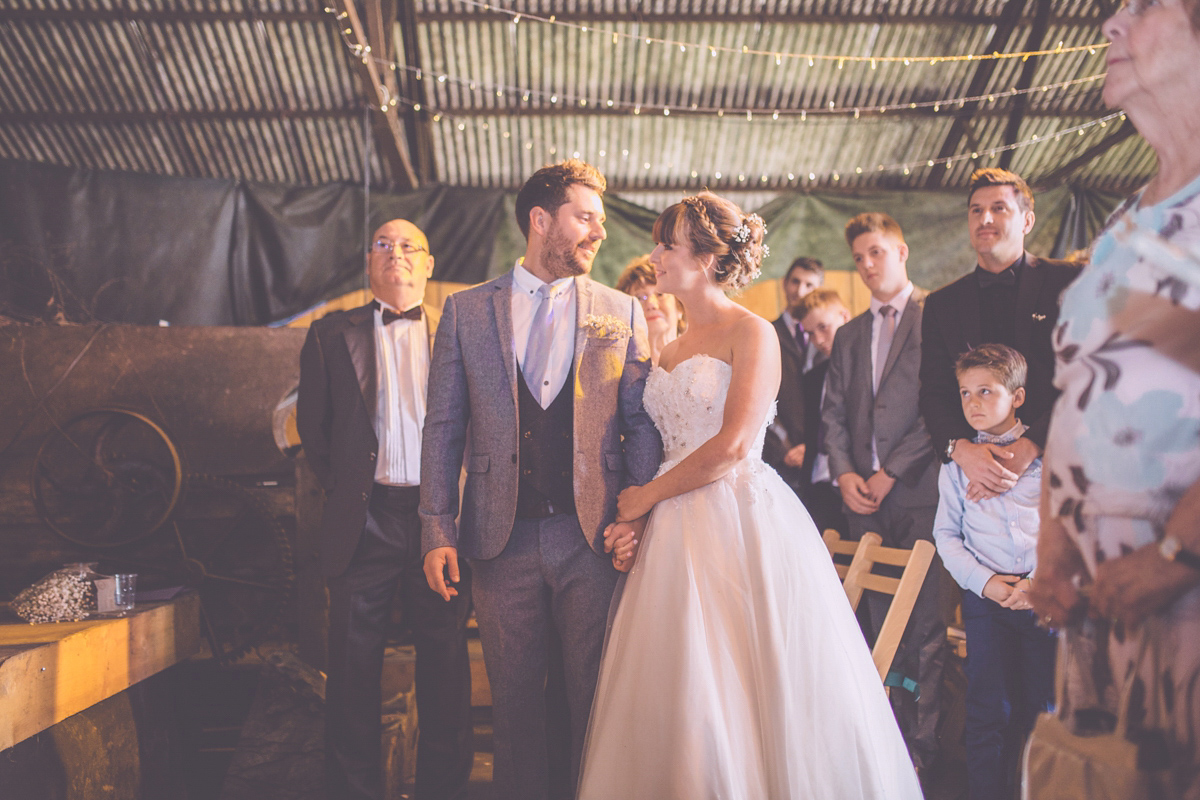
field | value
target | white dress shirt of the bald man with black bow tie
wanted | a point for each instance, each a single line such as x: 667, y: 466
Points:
x: 403, y: 376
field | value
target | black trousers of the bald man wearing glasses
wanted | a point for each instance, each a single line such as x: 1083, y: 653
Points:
x: 388, y: 561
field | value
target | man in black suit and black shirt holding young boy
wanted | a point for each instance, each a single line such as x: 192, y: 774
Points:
x: 1011, y: 298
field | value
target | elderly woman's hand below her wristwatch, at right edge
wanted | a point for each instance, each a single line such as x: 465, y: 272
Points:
x: 1135, y: 587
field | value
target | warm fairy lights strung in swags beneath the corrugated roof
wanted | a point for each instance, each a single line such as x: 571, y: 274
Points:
x: 533, y: 98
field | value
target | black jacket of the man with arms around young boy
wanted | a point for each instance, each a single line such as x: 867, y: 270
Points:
x: 952, y: 327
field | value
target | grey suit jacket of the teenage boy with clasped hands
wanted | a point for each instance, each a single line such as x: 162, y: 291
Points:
x: 853, y: 413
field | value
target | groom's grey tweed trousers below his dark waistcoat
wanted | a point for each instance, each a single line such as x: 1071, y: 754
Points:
x: 547, y: 581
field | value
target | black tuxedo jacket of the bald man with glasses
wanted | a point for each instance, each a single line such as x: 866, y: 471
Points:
x: 337, y: 407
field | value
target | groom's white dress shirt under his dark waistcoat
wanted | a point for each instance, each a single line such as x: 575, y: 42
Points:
x: 562, y: 350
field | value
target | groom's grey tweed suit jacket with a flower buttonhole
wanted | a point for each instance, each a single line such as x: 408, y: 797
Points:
x: 473, y: 412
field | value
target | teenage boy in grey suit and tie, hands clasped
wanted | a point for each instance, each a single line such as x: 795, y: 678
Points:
x: 881, y: 454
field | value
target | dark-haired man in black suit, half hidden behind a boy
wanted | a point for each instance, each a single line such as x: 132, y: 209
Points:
x: 784, y: 444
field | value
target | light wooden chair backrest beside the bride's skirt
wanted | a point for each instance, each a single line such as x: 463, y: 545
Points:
x: 868, y: 554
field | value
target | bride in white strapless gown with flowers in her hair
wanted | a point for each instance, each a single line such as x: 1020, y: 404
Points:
x: 734, y: 666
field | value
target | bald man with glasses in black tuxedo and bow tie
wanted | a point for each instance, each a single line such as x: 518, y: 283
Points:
x: 361, y: 411
